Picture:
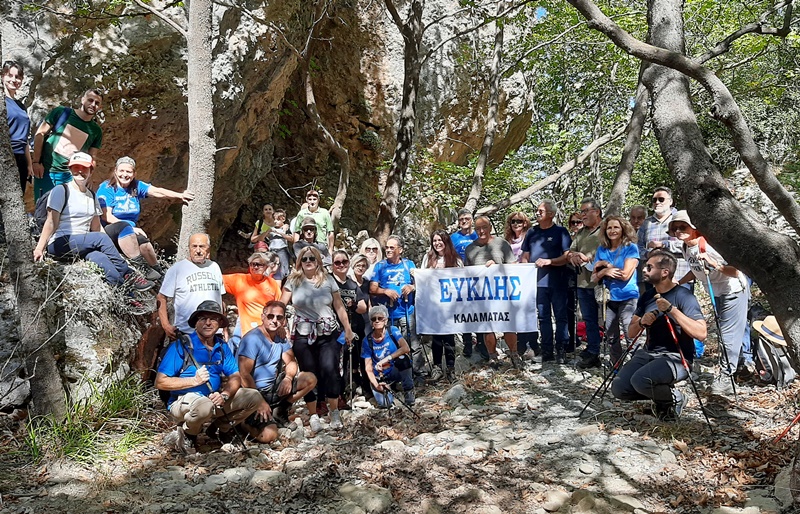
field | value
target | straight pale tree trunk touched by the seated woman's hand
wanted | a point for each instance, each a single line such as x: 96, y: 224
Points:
x: 200, y: 105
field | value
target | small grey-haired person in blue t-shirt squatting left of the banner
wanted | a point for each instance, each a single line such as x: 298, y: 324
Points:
x: 386, y: 359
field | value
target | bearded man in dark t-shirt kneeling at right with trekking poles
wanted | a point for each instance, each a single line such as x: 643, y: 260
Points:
x: 672, y: 317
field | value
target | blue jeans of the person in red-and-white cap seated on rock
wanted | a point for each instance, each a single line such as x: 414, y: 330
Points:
x: 95, y: 247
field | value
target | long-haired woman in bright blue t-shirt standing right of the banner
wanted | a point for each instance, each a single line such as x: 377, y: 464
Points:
x: 615, y: 265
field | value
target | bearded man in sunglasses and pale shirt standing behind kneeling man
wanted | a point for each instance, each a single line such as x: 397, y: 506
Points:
x: 653, y: 234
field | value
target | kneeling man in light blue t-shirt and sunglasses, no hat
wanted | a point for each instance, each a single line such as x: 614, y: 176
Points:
x: 267, y: 363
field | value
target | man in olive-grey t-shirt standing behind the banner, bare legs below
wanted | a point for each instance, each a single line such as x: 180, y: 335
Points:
x: 488, y: 250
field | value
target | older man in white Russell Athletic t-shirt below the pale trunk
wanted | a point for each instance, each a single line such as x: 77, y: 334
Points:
x: 189, y: 283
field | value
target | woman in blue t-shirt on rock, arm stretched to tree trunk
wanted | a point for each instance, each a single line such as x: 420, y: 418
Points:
x: 119, y: 199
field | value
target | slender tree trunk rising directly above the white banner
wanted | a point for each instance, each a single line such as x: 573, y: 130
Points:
x: 491, y: 114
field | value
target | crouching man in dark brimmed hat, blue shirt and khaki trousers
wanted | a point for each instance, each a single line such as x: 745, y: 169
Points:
x: 194, y: 380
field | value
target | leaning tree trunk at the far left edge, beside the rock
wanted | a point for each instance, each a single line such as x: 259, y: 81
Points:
x: 47, y: 391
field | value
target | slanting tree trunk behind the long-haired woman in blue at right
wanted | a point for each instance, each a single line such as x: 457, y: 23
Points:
x: 630, y: 152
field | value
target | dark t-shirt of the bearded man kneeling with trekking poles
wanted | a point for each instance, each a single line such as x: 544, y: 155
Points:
x: 661, y: 339
